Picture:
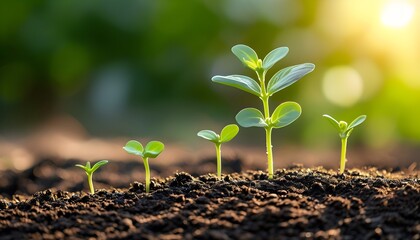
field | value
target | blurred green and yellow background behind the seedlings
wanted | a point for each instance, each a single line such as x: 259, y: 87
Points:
x: 143, y: 68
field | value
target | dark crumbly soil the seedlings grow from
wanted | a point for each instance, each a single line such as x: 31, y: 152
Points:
x: 298, y: 203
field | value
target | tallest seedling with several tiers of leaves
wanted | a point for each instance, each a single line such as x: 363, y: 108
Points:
x: 285, y: 113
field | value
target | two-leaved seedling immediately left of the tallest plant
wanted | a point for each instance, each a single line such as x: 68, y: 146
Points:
x: 227, y: 134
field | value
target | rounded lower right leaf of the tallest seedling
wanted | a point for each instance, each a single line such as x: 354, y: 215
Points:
x: 285, y: 114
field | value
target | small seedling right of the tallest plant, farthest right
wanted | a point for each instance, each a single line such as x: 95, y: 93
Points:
x: 344, y: 131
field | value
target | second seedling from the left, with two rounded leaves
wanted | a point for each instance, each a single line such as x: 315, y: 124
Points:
x: 152, y: 150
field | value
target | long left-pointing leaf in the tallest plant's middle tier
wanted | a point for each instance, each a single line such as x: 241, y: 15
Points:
x: 244, y: 83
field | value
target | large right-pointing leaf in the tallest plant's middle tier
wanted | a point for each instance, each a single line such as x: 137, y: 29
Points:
x: 288, y: 76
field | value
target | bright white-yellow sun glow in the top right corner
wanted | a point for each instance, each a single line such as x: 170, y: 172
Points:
x: 397, y: 13
